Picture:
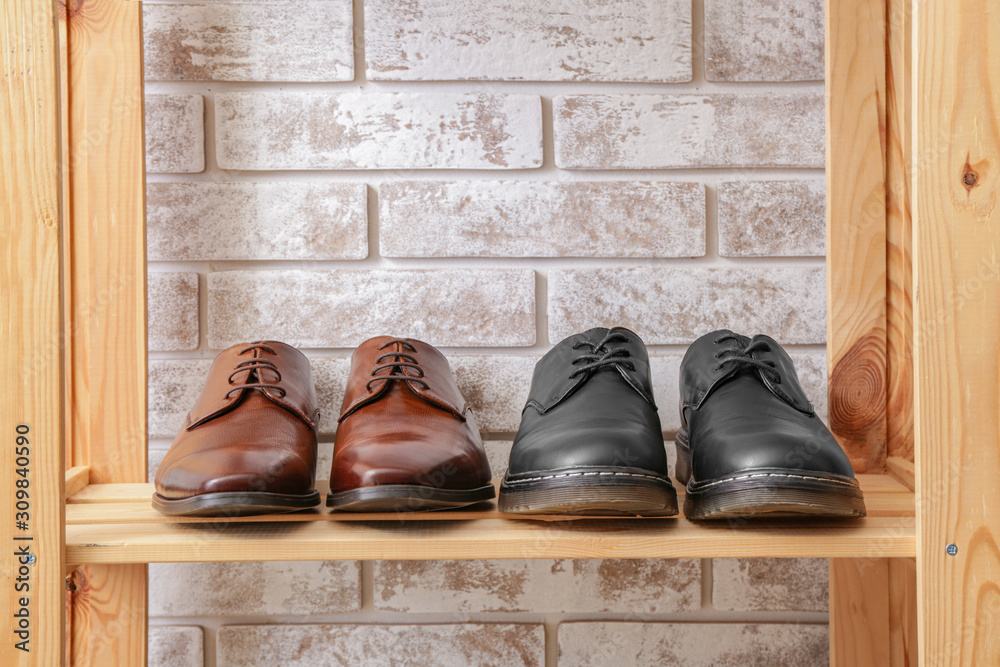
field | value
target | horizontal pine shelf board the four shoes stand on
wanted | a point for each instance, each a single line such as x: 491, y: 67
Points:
x: 114, y: 523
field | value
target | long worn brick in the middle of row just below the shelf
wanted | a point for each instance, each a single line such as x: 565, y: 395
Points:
x: 640, y: 586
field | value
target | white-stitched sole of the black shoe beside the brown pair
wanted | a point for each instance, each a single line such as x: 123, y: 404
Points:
x: 592, y: 492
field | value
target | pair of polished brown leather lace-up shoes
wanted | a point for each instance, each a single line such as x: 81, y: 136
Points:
x: 406, y: 438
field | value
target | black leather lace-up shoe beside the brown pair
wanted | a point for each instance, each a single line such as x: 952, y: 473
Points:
x: 590, y: 440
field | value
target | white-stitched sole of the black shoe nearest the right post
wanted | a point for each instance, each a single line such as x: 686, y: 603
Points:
x: 774, y: 494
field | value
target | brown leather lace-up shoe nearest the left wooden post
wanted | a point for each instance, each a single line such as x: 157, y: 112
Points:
x: 249, y: 443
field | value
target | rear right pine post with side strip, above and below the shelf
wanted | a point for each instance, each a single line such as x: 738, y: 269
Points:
x: 869, y: 310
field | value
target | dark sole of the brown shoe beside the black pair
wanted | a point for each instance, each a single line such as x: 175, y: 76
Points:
x: 406, y: 498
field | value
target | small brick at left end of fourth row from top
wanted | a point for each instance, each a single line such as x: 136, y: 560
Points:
x: 173, y: 311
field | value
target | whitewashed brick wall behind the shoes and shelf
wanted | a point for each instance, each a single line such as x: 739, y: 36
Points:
x: 489, y: 177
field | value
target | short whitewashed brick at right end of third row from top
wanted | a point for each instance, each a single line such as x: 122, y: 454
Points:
x: 772, y: 218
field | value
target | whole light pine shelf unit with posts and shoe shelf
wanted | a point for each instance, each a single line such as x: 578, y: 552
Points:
x: 913, y: 173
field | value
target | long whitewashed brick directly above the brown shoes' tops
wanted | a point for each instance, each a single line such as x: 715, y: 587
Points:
x: 449, y: 307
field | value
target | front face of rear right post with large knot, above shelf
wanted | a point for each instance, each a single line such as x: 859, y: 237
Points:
x: 856, y: 228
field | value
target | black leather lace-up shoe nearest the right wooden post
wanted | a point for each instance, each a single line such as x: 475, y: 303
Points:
x: 750, y: 442
